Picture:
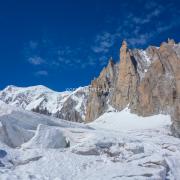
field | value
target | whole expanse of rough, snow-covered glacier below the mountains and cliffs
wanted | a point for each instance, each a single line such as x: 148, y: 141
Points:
x: 116, y: 146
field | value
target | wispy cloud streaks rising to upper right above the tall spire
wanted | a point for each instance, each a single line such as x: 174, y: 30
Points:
x: 135, y: 27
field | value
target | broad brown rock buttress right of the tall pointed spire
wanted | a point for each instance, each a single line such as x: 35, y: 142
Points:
x: 157, y: 91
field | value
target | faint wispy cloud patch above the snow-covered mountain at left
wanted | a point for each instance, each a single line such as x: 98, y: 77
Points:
x: 45, y: 53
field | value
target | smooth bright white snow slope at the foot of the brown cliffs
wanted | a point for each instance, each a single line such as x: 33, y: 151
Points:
x: 125, y: 120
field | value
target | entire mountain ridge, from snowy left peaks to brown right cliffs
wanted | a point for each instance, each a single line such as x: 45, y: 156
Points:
x: 147, y: 81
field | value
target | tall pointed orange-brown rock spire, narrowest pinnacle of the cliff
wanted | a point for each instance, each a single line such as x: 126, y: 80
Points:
x: 127, y: 78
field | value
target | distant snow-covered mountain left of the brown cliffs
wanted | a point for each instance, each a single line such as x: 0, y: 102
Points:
x: 69, y: 105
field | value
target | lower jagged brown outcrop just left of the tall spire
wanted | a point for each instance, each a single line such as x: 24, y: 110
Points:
x: 100, y: 91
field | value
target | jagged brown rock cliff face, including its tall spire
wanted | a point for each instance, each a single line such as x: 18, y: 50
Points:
x: 148, y: 81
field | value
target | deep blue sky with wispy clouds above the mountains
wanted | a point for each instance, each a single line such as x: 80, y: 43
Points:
x: 65, y: 43
